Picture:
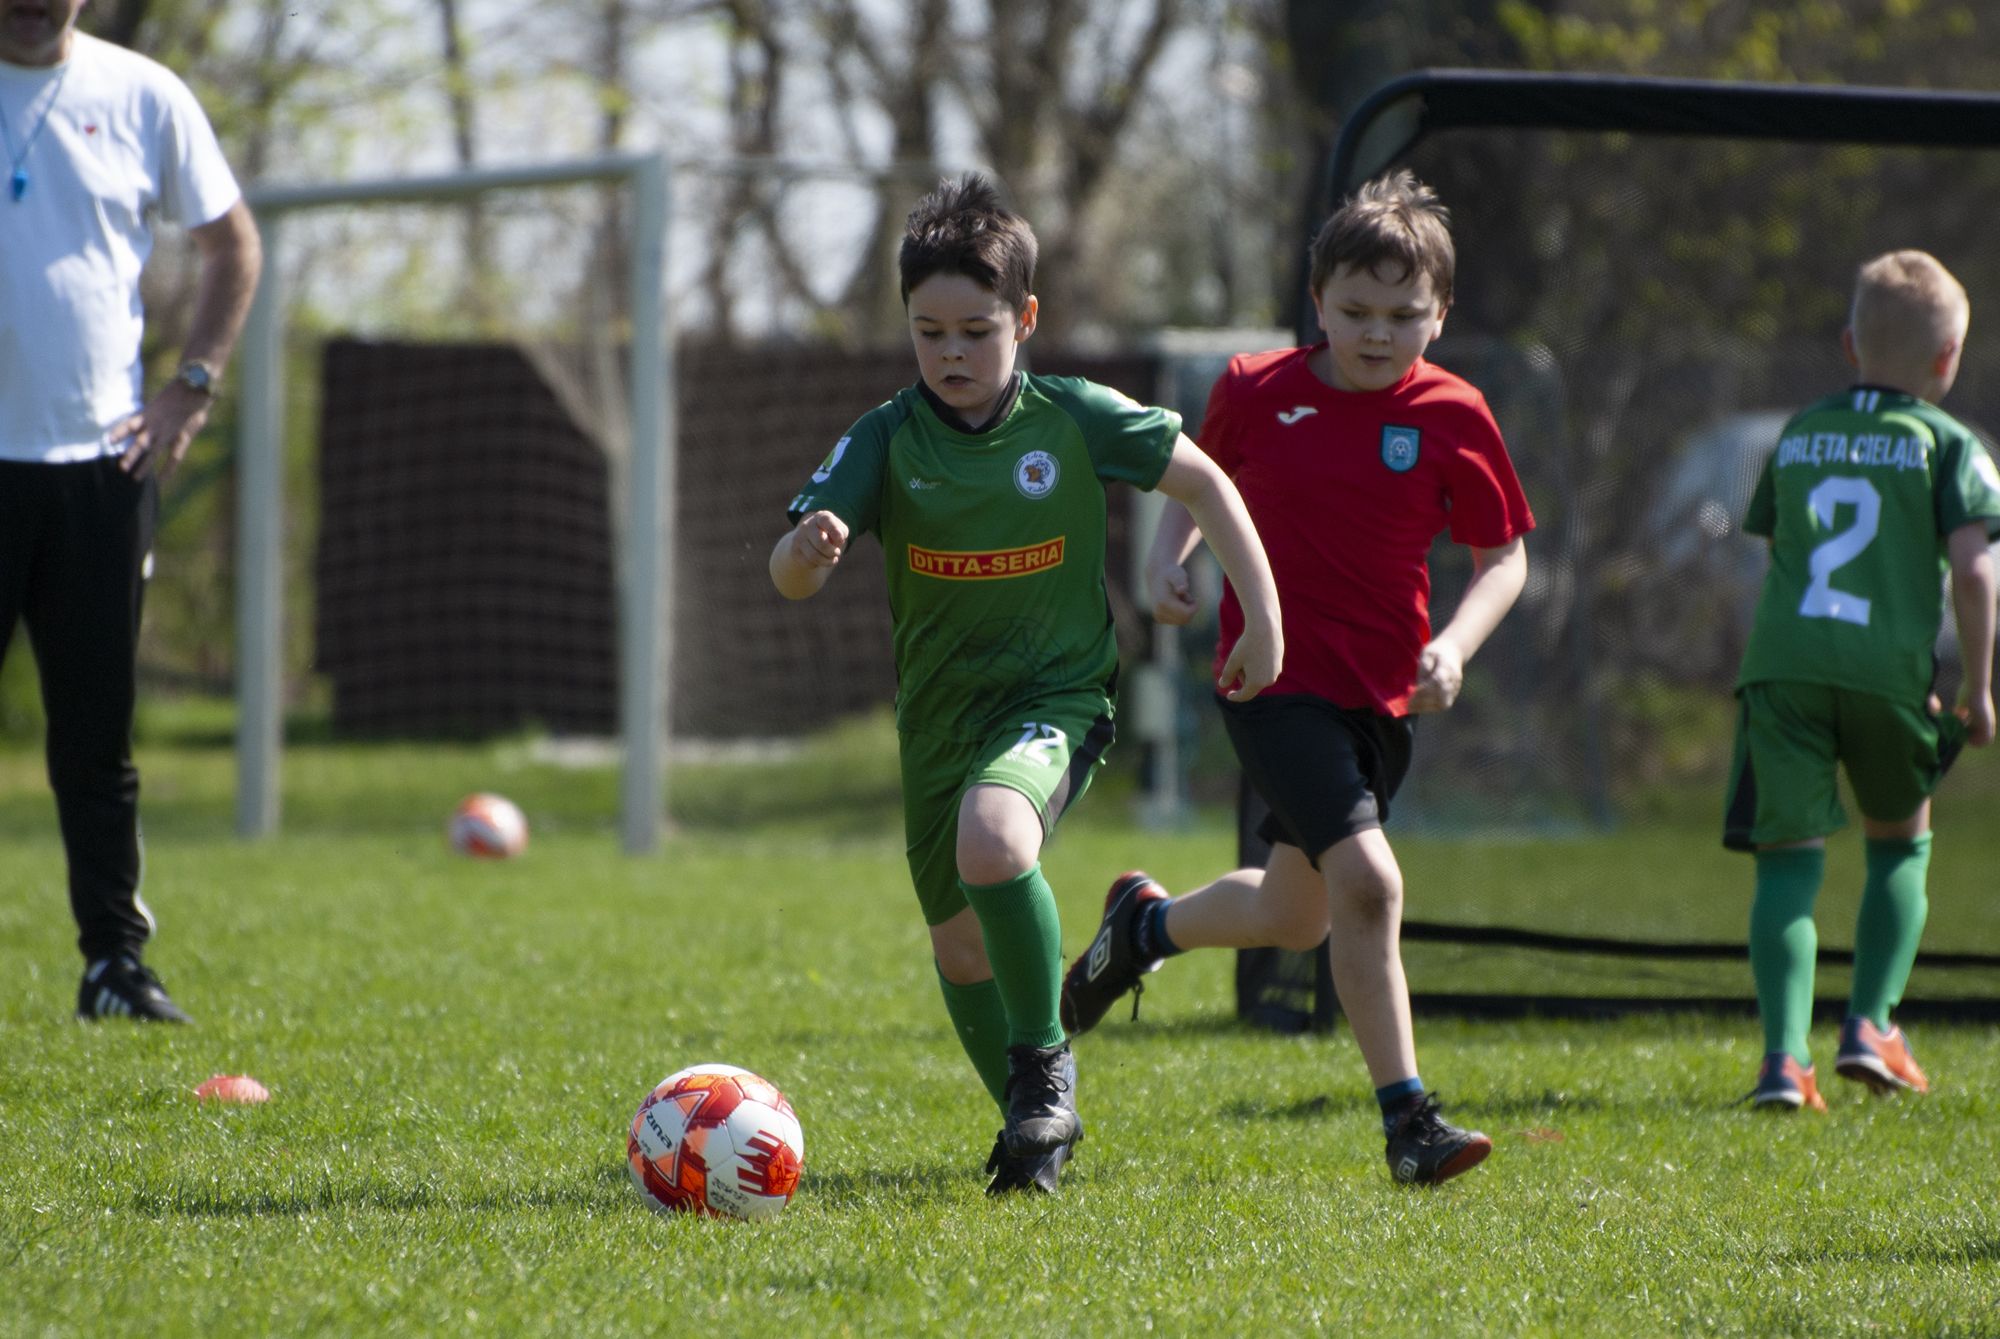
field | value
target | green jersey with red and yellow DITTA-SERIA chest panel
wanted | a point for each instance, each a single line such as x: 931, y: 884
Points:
x: 995, y: 543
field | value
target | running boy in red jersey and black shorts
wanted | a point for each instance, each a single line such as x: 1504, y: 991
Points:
x: 1351, y: 455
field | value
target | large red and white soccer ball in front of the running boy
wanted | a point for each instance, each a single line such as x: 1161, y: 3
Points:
x: 717, y: 1140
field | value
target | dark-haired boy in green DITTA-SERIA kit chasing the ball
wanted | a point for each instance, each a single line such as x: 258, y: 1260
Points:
x: 989, y: 493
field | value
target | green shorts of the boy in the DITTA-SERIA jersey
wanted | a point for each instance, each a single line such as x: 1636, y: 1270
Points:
x: 1049, y: 756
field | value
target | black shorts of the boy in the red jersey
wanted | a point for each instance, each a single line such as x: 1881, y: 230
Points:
x: 1327, y: 772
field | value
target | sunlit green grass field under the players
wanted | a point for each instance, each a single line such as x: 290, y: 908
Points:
x: 455, y: 1052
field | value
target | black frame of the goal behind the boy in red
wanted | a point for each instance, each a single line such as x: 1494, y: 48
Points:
x: 1289, y: 990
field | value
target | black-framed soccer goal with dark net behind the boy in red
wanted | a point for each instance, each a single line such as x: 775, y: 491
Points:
x: 1653, y: 275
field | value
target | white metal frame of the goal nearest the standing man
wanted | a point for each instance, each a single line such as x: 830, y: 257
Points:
x: 645, y: 617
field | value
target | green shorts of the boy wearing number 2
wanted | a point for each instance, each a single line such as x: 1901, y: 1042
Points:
x: 1791, y: 736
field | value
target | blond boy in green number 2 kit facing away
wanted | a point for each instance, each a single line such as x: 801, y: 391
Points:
x: 1871, y: 497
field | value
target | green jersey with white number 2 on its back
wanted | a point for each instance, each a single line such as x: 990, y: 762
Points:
x: 1857, y: 503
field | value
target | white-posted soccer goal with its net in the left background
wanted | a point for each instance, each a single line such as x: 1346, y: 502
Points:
x: 455, y: 549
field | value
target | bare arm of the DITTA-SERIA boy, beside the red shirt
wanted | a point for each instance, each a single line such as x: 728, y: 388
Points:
x: 1217, y: 509
